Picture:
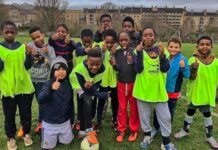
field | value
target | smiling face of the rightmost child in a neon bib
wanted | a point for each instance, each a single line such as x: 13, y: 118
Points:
x: 204, y: 46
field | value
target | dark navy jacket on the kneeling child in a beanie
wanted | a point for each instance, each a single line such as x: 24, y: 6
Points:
x: 57, y: 105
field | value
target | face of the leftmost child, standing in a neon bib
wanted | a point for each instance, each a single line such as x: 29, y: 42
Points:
x: 9, y: 33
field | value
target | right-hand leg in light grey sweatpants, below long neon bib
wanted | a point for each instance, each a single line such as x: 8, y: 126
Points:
x: 164, y: 119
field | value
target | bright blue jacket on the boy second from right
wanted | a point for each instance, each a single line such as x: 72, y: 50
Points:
x: 176, y: 73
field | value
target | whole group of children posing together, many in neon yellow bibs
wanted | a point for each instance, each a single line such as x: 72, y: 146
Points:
x: 126, y: 67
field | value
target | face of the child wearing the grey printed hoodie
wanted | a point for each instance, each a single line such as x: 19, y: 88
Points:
x: 38, y: 38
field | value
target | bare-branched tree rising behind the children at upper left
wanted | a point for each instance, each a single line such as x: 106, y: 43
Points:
x: 50, y: 13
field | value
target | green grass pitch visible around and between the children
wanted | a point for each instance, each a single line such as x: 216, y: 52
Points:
x: 195, y: 141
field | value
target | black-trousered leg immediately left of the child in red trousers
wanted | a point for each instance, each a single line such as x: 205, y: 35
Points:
x: 114, y: 103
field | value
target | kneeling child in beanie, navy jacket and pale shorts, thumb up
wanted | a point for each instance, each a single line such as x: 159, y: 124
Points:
x: 56, y: 97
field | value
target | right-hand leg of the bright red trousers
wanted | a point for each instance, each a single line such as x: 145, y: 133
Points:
x: 134, y: 115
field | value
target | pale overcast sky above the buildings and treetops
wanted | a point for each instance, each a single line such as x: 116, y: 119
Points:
x: 198, y: 5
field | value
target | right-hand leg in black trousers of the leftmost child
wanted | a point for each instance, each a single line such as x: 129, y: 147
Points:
x: 24, y: 102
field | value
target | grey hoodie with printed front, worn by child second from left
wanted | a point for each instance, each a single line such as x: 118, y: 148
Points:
x: 40, y: 69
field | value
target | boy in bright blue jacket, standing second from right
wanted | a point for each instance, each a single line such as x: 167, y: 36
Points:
x: 178, y: 69
